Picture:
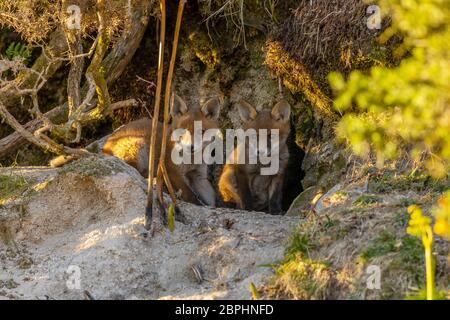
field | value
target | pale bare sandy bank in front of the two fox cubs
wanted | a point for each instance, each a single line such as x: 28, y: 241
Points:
x: 80, y: 229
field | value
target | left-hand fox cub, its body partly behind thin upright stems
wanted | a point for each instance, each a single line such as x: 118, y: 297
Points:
x: 131, y: 144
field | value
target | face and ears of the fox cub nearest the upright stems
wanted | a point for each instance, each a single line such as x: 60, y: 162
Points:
x: 184, y: 120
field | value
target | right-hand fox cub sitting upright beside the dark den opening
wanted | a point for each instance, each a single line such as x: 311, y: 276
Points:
x: 243, y: 183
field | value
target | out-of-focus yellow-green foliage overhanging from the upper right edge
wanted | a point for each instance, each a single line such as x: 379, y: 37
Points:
x: 404, y: 109
